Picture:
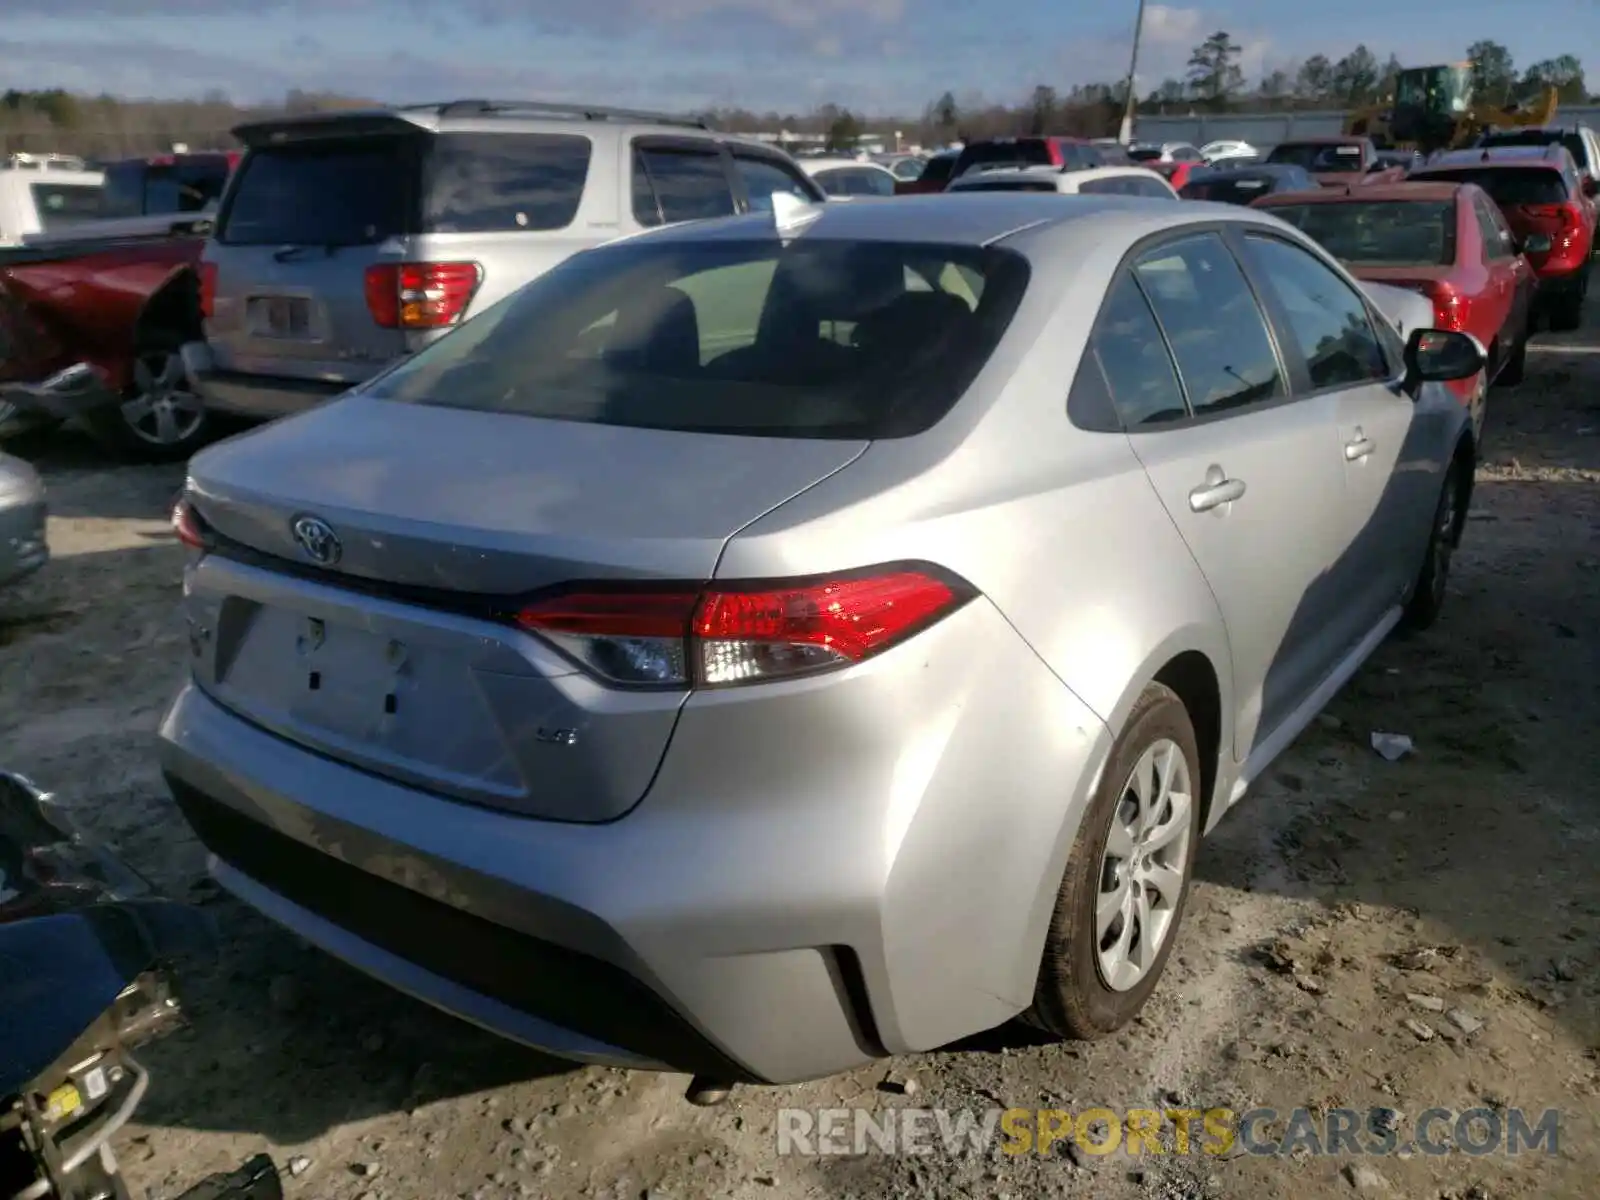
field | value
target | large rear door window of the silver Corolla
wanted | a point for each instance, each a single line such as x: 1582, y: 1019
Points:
x: 1214, y: 324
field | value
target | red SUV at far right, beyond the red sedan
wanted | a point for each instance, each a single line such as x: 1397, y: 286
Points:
x: 1540, y: 191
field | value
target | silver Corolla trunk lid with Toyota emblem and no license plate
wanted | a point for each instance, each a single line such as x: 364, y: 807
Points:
x: 399, y: 657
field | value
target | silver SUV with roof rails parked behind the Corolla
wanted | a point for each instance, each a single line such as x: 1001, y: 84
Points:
x: 351, y: 239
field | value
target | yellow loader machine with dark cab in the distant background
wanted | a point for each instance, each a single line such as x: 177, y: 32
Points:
x: 1434, y: 110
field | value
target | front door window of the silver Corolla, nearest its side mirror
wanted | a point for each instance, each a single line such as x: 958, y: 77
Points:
x: 1332, y: 329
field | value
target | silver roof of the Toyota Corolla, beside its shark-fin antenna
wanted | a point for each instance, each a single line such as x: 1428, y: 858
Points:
x: 972, y: 220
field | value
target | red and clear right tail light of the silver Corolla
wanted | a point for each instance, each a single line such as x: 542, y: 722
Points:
x: 727, y: 634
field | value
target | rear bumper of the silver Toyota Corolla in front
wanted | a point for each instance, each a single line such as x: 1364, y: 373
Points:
x: 786, y: 903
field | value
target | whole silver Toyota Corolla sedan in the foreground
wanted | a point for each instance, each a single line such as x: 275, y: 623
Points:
x: 772, y: 644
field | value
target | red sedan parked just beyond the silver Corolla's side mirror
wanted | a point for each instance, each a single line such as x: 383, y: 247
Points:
x: 1442, y: 239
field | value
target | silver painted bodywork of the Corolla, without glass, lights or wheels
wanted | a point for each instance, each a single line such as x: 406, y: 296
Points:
x: 748, y: 852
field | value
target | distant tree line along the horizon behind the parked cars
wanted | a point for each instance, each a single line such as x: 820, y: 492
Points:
x: 105, y: 127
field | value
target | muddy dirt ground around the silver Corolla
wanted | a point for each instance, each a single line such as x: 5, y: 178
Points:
x: 1345, y: 919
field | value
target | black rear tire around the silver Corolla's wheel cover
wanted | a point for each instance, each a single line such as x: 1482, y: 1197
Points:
x: 1073, y: 999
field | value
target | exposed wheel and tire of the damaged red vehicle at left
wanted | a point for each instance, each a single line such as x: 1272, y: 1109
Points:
x: 148, y: 436
